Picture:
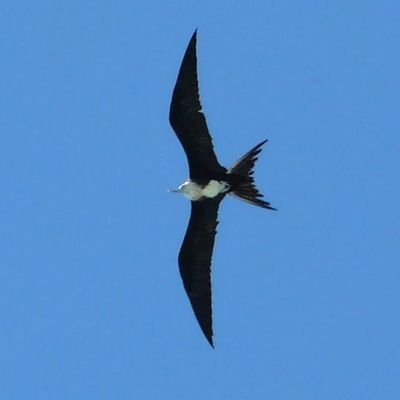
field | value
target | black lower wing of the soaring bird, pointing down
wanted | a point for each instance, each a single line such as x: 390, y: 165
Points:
x: 195, y: 260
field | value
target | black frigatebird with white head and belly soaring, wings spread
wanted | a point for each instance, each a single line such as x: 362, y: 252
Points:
x: 208, y: 184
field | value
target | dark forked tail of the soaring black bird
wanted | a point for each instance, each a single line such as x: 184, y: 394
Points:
x: 246, y: 187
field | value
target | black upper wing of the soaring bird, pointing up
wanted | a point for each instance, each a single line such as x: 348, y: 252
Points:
x: 188, y: 120
